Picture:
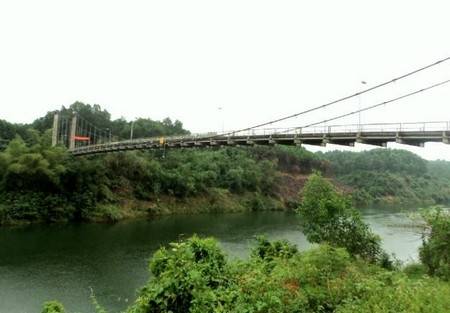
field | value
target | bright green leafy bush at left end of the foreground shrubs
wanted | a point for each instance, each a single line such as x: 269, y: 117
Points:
x: 186, y: 278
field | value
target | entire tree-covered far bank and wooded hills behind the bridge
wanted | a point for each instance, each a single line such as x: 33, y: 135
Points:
x: 39, y: 182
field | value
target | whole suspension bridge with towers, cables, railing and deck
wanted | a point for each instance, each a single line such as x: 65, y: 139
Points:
x: 83, y: 138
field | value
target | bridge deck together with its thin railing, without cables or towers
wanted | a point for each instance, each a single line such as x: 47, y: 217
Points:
x: 415, y: 134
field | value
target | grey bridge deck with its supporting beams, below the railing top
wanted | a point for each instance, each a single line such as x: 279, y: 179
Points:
x: 378, y: 138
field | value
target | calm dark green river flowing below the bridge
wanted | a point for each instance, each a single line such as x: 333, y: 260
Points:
x: 40, y: 263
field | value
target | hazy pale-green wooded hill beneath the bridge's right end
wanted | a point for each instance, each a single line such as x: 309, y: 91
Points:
x: 391, y: 176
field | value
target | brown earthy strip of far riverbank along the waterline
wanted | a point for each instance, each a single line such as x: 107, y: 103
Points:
x: 214, y: 200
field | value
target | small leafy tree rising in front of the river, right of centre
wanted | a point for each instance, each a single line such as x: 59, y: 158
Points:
x: 328, y: 216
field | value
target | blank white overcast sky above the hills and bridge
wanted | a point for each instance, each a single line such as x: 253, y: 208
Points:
x: 255, y: 60
